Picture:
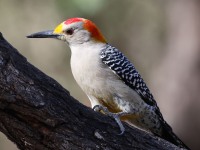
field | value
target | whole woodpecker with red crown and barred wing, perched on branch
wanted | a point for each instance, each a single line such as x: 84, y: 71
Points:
x: 109, y: 79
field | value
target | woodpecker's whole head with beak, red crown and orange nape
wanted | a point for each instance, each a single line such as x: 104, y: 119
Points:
x: 73, y: 31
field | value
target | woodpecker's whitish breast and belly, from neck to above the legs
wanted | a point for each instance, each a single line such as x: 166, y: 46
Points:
x: 98, y: 80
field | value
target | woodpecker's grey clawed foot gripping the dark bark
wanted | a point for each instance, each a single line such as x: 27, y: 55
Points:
x: 116, y: 116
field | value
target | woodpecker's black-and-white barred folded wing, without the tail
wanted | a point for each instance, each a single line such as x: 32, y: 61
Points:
x: 126, y: 71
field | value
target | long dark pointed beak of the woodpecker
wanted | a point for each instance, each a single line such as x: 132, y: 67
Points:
x: 44, y: 34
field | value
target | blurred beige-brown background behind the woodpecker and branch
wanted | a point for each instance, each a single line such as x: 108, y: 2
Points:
x: 160, y: 37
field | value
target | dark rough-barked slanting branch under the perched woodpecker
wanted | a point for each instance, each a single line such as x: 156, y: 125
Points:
x: 37, y: 113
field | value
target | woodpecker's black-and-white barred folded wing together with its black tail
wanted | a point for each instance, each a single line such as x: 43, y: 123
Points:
x: 126, y: 71
